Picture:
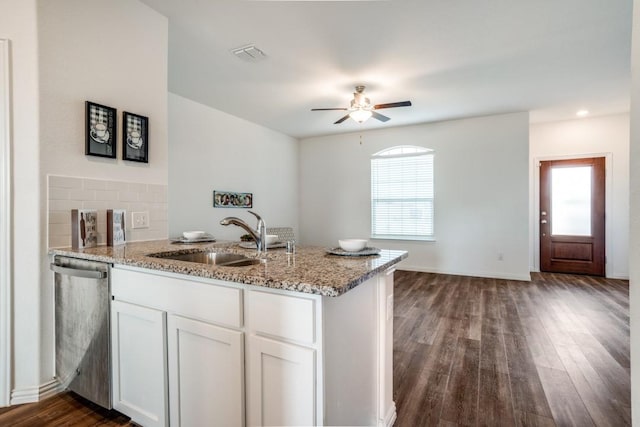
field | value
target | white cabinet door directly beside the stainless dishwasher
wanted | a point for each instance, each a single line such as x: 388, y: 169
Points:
x: 139, y: 363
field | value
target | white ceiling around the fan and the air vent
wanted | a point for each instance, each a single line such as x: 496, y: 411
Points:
x: 451, y: 58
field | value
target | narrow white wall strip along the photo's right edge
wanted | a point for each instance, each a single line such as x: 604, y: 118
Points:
x: 634, y: 248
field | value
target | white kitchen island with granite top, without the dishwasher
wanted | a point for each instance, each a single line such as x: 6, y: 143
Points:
x: 296, y: 339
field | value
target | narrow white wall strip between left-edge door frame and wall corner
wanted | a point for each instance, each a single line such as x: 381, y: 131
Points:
x: 18, y: 23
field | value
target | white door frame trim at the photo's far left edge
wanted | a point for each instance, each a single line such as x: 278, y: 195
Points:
x: 6, y: 273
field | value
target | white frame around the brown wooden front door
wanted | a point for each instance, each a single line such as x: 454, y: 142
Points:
x: 535, y: 215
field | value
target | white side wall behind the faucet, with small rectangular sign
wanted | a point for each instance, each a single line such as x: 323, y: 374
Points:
x: 211, y: 150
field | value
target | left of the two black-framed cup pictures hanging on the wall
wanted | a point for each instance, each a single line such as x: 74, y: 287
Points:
x: 100, y: 129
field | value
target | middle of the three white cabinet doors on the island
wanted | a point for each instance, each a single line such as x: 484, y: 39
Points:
x: 206, y: 381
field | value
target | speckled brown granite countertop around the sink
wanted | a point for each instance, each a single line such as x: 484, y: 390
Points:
x: 309, y: 270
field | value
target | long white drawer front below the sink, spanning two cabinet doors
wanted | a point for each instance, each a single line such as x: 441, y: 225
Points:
x: 199, y: 300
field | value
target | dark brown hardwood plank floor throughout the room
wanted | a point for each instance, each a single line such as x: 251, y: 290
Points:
x: 477, y: 352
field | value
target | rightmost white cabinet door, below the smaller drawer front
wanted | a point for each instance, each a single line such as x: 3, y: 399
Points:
x: 282, y: 384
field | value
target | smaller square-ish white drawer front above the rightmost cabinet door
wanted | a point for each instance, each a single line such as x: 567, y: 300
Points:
x: 282, y: 316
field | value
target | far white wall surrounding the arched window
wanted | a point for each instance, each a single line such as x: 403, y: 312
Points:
x: 481, y: 189
